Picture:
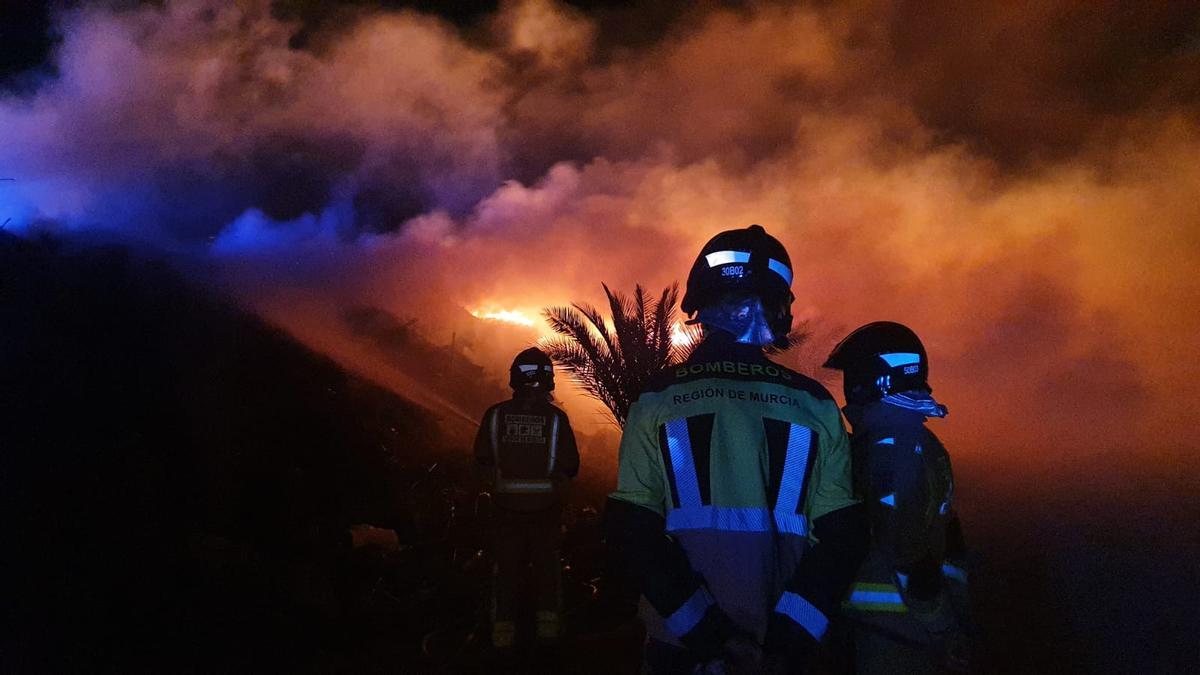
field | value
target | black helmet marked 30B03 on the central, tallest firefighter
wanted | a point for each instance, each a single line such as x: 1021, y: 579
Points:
x: 745, y: 261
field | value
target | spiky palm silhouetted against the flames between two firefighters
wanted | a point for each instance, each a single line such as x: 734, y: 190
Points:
x: 614, y: 360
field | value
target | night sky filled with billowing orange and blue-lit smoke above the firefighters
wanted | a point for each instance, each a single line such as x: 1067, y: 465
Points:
x: 1021, y: 183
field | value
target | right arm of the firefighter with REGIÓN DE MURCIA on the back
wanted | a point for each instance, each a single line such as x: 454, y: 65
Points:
x: 839, y: 540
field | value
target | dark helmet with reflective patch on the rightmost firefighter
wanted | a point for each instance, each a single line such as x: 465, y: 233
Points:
x: 880, y: 359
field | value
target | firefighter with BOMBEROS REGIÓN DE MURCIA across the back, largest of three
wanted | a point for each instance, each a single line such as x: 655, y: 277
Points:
x: 734, y: 507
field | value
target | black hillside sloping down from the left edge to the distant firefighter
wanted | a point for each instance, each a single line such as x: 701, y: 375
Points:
x: 179, y: 481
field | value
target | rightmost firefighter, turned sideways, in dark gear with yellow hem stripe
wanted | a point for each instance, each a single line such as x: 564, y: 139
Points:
x: 908, y: 611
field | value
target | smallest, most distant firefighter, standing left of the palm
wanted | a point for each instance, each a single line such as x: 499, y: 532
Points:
x: 529, y: 451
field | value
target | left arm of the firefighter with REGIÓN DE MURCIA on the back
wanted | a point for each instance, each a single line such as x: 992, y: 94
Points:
x: 655, y: 560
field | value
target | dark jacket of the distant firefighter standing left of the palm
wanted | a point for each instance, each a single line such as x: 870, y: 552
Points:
x: 529, y: 443
